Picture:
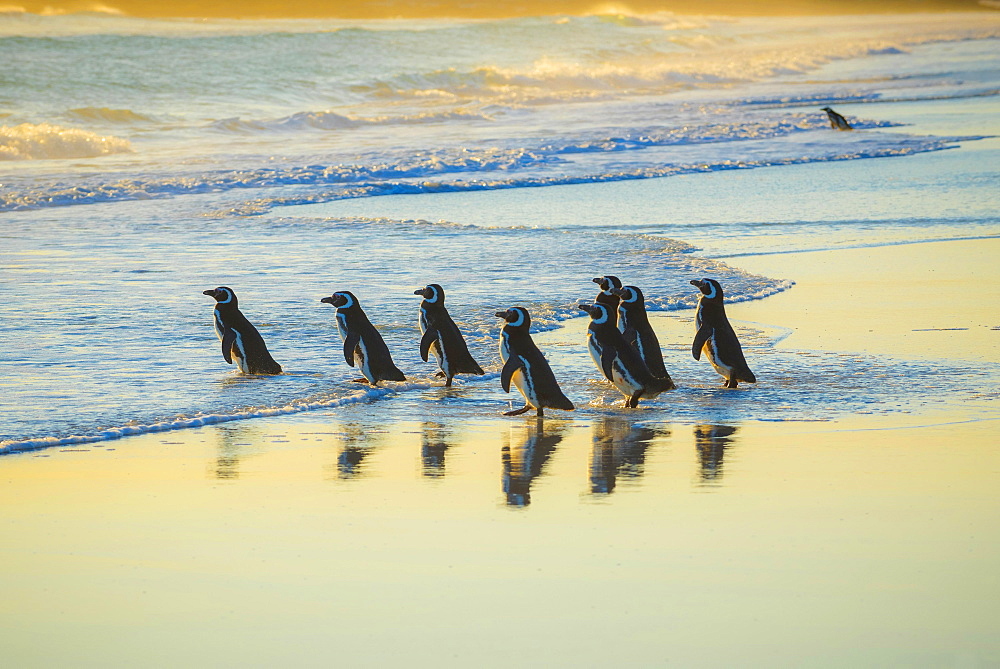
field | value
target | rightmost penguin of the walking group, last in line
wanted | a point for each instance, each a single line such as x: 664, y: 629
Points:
x: 716, y: 336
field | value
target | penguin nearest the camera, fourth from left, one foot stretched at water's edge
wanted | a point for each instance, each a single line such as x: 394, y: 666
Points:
x: 525, y: 365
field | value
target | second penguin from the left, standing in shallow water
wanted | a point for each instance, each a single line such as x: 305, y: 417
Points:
x: 363, y: 345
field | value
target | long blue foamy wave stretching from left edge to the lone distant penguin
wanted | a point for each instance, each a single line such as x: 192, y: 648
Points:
x: 409, y: 173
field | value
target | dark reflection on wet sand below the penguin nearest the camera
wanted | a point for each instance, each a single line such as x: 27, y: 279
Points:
x: 524, y: 454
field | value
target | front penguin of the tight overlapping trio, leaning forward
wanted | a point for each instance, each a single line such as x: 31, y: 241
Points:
x: 618, y: 360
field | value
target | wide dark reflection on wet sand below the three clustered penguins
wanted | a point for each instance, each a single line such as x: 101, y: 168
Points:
x: 619, y: 450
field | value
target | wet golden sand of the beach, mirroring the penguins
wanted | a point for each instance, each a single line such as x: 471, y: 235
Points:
x: 327, y: 538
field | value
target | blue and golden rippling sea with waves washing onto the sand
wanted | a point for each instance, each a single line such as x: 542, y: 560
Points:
x: 428, y: 165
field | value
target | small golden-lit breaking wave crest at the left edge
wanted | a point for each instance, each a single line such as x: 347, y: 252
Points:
x: 45, y: 141
